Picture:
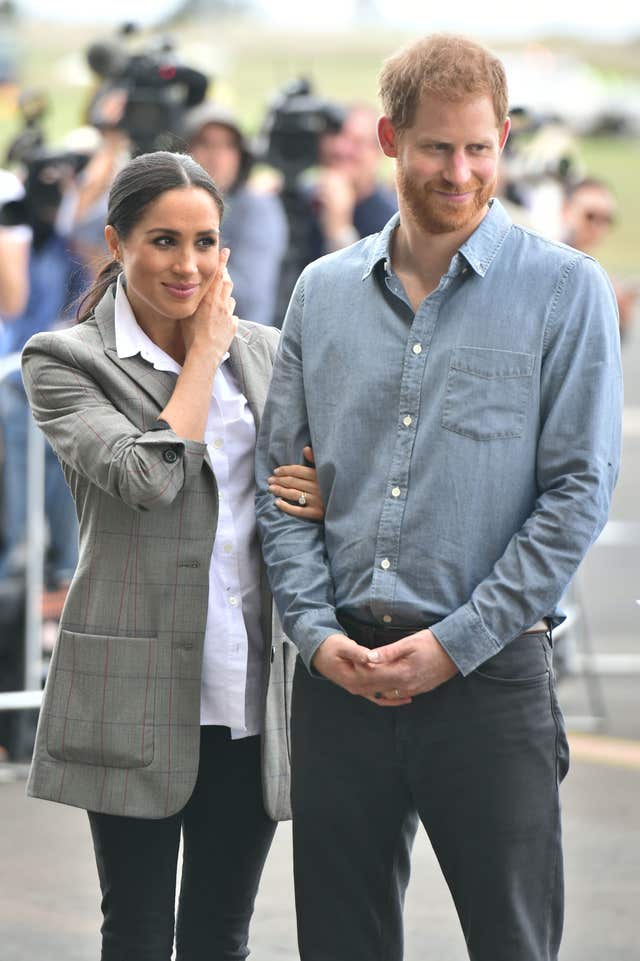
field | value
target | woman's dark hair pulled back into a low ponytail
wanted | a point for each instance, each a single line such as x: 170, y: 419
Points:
x: 137, y: 185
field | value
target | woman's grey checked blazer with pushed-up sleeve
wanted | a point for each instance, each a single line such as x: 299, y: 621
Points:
x: 120, y: 722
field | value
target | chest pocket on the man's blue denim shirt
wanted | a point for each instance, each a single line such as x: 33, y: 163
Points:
x: 487, y: 392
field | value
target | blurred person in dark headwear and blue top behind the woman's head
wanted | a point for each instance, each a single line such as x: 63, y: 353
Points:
x: 255, y: 226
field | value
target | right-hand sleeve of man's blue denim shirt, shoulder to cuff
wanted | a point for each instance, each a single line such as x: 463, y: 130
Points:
x: 577, y: 465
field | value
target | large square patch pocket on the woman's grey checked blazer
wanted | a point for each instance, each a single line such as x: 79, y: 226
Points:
x: 102, y: 704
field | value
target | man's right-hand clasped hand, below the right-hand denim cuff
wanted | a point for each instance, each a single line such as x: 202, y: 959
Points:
x: 413, y: 665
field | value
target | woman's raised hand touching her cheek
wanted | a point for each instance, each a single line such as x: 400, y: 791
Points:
x: 212, y: 326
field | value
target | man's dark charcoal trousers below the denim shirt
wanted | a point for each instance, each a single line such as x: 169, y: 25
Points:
x: 479, y: 761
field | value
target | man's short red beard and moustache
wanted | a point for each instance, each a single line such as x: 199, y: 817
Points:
x: 432, y: 213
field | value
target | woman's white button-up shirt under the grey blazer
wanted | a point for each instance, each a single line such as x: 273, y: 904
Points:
x: 232, y: 669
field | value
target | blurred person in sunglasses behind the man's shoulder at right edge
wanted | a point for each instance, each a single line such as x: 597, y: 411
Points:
x: 589, y: 213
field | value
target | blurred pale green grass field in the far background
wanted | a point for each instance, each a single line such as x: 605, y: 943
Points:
x: 249, y: 62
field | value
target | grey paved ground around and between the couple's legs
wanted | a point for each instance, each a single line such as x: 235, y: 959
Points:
x: 49, y: 907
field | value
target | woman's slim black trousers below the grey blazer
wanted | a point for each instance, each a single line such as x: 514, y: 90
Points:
x: 226, y: 838
